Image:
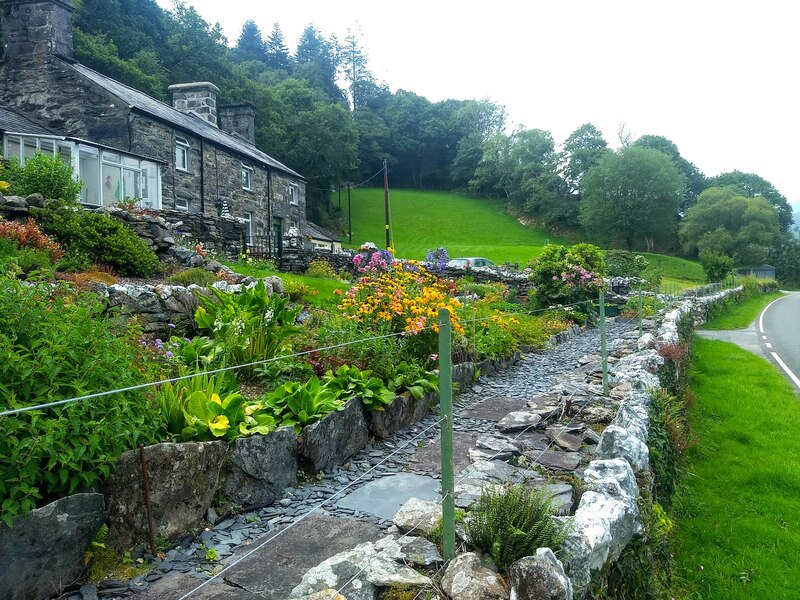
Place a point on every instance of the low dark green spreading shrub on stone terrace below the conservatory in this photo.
(103, 239)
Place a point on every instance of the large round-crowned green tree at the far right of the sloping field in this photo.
(631, 194)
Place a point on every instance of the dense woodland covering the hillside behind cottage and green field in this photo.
(322, 112)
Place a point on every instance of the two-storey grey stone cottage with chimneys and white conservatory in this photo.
(192, 156)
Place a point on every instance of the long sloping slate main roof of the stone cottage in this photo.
(189, 123)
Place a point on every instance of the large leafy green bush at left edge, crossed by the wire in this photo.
(57, 344)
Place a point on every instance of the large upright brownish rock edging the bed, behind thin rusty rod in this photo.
(183, 479)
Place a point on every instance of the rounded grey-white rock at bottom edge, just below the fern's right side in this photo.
(539, 577)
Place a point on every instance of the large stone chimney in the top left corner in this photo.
(36, 30)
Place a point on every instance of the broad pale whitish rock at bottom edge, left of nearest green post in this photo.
(358, 573)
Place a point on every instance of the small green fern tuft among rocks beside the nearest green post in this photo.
(510, 522)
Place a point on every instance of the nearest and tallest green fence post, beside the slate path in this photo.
(446, 411)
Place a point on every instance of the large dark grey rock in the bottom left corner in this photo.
(43, 550)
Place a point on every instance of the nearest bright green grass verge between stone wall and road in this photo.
(737, 513)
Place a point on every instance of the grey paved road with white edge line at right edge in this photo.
(779, 332)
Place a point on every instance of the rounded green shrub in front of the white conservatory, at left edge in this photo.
(47, 175)
